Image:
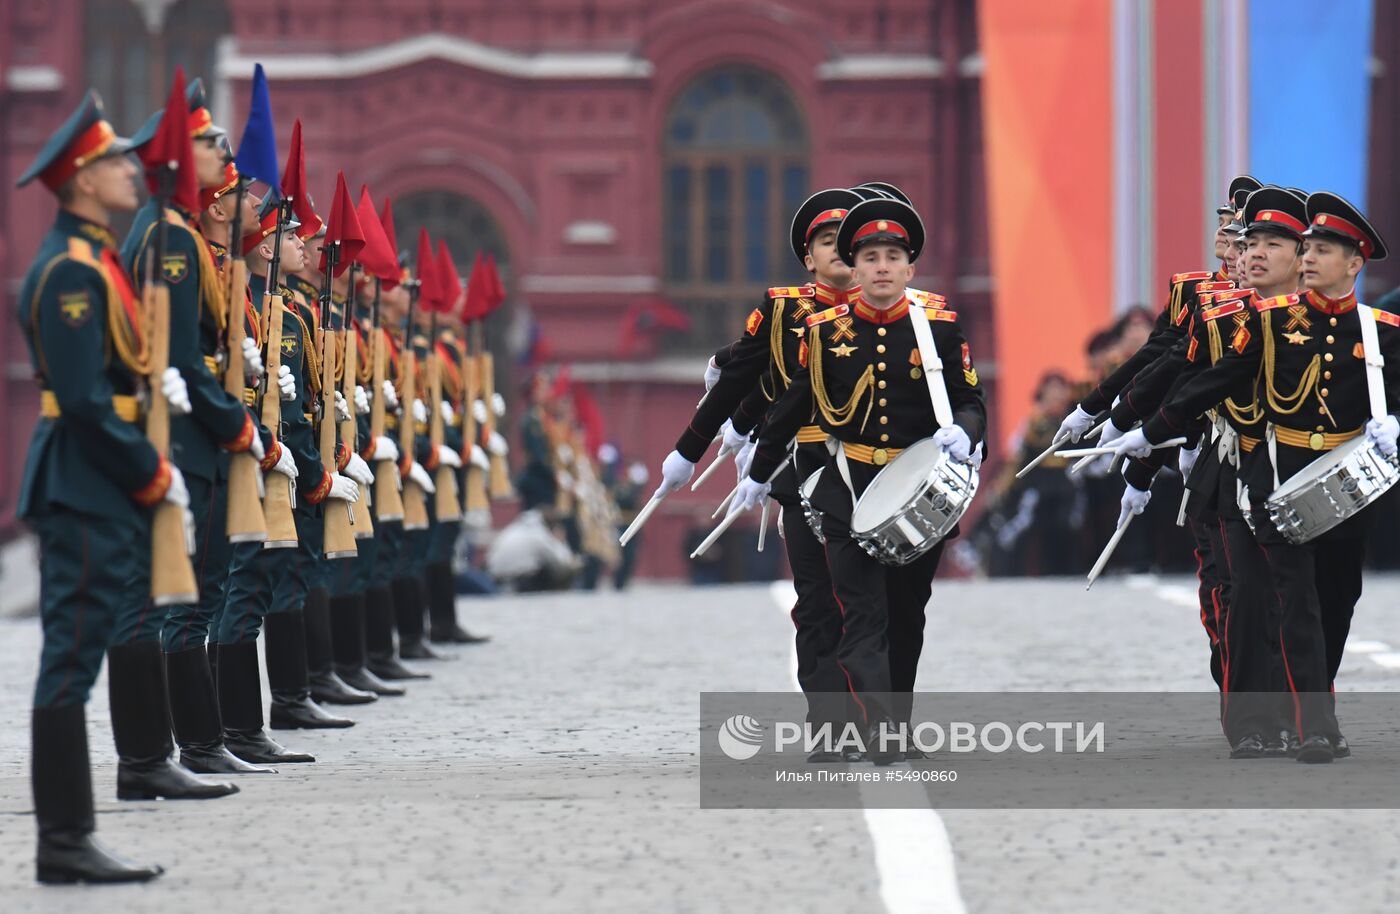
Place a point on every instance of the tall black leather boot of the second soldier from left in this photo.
(142, 730)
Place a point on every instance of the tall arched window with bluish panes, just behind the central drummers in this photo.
(736, 153)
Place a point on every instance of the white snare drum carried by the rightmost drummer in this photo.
(1332, 489)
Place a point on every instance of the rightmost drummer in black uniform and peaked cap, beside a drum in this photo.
(1307, 355)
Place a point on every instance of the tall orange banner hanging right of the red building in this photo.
(1048, 120)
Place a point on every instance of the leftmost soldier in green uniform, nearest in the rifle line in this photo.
(90, 477)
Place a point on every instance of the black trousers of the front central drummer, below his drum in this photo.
(883, 617)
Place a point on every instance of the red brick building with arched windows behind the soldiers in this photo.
(611, 153)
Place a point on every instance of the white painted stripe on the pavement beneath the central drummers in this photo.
(913, 855)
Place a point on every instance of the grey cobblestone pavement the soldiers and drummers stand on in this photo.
(554, 771)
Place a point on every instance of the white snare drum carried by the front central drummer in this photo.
(912, 505)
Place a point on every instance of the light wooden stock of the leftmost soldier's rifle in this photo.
(173, 575)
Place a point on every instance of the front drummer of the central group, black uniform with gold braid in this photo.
(862, 376)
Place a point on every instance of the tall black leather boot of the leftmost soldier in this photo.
(64, 806)
